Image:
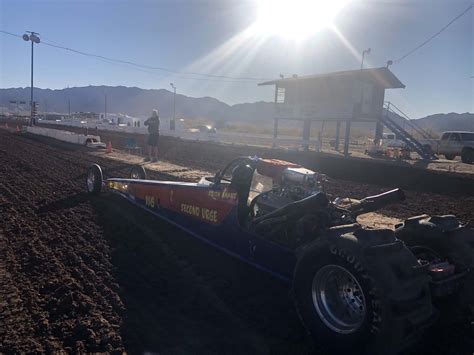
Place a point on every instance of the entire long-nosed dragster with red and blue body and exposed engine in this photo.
(353, 287)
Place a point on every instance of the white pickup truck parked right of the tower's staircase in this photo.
(453, 144)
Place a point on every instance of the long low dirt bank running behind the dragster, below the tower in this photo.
(372, 171)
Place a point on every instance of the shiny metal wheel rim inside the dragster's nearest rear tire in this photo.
(338, 299)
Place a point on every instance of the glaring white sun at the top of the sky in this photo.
(295, 19)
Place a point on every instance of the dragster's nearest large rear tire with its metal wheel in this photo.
(349, 306)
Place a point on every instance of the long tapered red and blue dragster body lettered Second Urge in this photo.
(209, 212)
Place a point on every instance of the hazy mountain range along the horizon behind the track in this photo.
(139, 102)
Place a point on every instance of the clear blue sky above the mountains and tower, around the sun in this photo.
(213, 37)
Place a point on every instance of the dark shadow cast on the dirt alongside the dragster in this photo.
(183, 296)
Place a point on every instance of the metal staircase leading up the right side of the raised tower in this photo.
(391, 112)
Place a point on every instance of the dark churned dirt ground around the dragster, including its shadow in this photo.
(82, 274)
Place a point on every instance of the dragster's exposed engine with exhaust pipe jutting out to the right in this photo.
(295, 210)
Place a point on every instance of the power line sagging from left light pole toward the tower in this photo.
(143, 66)
